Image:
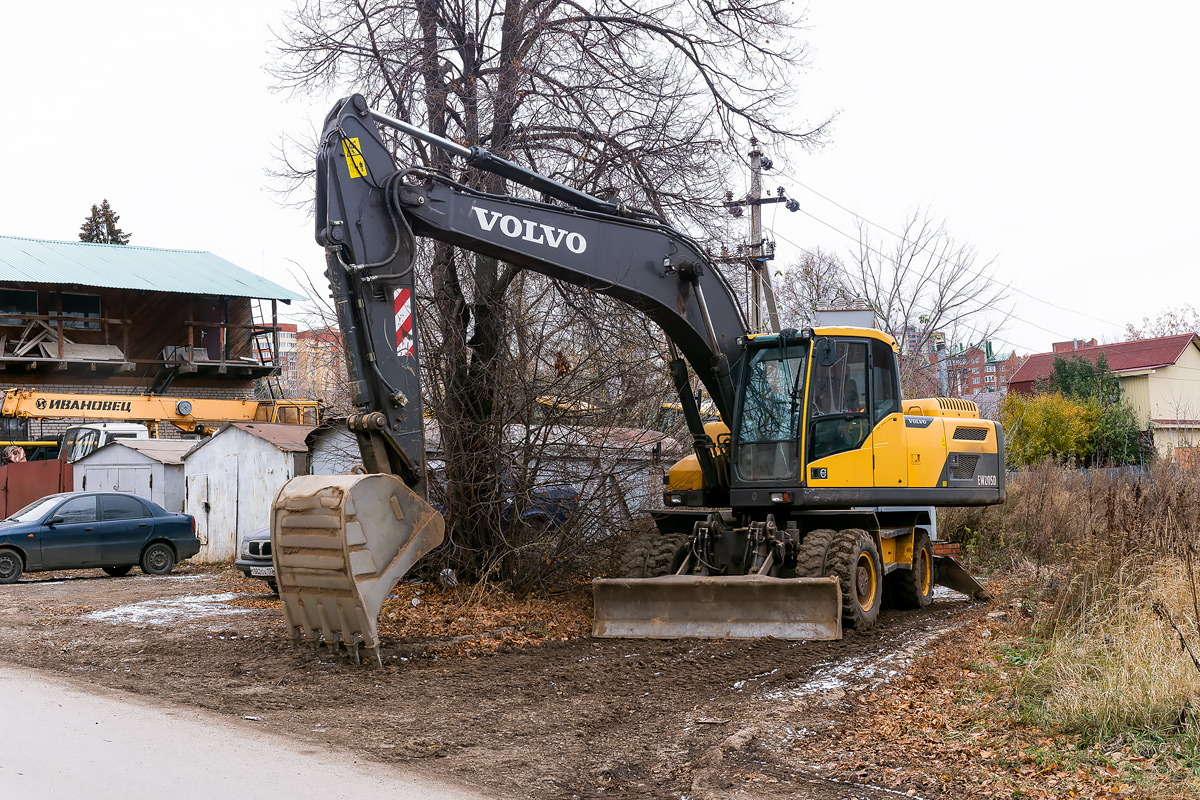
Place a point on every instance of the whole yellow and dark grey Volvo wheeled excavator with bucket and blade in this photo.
(796, 512)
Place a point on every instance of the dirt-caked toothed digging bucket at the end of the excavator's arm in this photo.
(340, 544)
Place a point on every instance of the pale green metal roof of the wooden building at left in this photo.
(124, 267)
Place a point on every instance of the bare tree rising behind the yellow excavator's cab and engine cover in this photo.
(925, 284)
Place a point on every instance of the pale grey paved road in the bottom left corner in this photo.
(65, 741)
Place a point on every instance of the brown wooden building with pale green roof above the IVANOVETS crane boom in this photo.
(83, 318)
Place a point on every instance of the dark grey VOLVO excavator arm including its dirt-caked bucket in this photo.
(341, 545)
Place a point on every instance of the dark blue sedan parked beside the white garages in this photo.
(110, 531)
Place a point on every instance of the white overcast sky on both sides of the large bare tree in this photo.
(1057, 139)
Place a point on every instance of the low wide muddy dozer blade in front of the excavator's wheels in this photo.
(741, 607)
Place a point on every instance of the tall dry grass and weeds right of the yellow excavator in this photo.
(1108, 658)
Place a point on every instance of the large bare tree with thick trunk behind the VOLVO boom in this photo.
(640, 103)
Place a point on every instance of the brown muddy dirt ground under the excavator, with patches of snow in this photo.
(572, 718)
